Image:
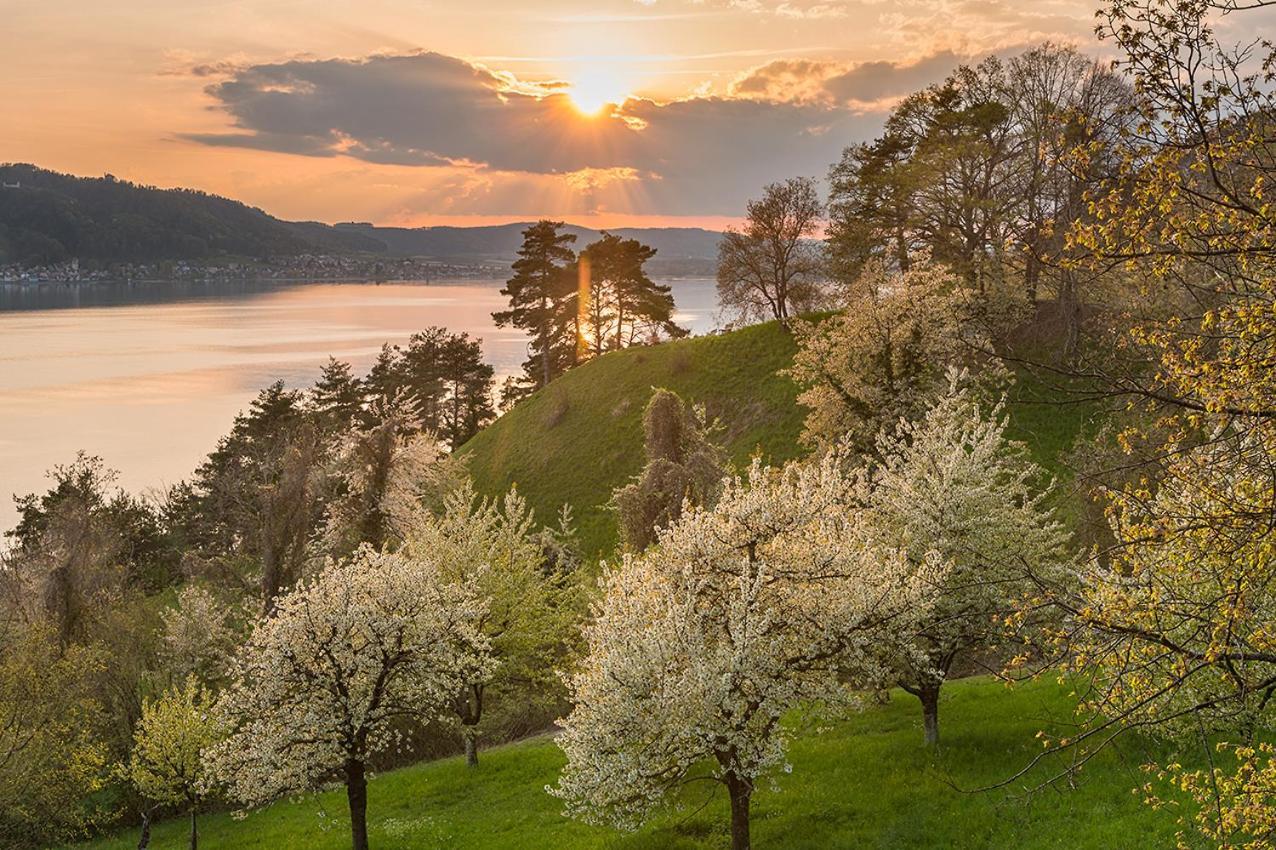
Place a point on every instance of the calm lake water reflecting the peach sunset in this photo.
(150, 376)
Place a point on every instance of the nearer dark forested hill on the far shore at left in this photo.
(49, 218)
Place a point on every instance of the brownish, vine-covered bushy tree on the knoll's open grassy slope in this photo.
(683, 466)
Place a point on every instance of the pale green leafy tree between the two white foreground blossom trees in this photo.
(494, 547)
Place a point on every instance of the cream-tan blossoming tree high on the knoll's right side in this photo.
(886, 355)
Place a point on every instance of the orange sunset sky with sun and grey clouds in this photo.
(605, 113)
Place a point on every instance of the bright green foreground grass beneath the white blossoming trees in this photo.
(866, 782)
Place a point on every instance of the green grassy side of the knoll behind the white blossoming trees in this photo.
(581, 438)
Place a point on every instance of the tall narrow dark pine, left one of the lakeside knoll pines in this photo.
(539, 301)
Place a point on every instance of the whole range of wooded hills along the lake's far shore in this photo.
(49, 218)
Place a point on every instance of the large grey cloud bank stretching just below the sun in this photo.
(426, 110)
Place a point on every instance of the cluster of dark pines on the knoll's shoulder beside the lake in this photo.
(577, 307)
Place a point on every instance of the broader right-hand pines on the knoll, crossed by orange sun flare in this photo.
(621, 301)
